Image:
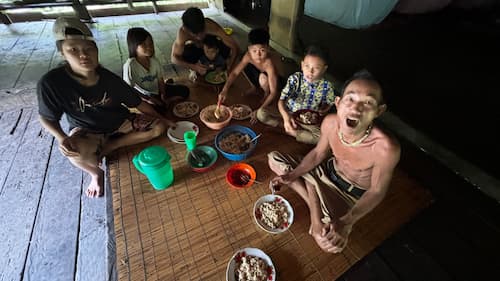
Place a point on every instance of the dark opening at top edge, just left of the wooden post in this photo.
(254, 13)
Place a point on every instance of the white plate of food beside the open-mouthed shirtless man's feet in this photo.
(273, 213)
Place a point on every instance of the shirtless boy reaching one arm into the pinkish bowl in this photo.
(261, 71)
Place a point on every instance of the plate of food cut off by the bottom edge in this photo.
(250, 264)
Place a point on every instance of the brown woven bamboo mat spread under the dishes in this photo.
(190, 230)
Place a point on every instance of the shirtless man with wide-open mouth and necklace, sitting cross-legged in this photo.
(347, 186)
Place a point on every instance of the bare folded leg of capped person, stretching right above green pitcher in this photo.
(131, 138)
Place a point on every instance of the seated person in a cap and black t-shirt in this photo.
(96, 103)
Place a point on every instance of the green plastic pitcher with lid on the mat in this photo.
(154, 163)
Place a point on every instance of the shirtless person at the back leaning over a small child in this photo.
(188, 46)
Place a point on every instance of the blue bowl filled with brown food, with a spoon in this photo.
(234, 142)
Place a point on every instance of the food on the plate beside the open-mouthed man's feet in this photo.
(273, 214)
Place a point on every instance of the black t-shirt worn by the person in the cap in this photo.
(99, 108)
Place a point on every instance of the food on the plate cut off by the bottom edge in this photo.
(251, 268)
